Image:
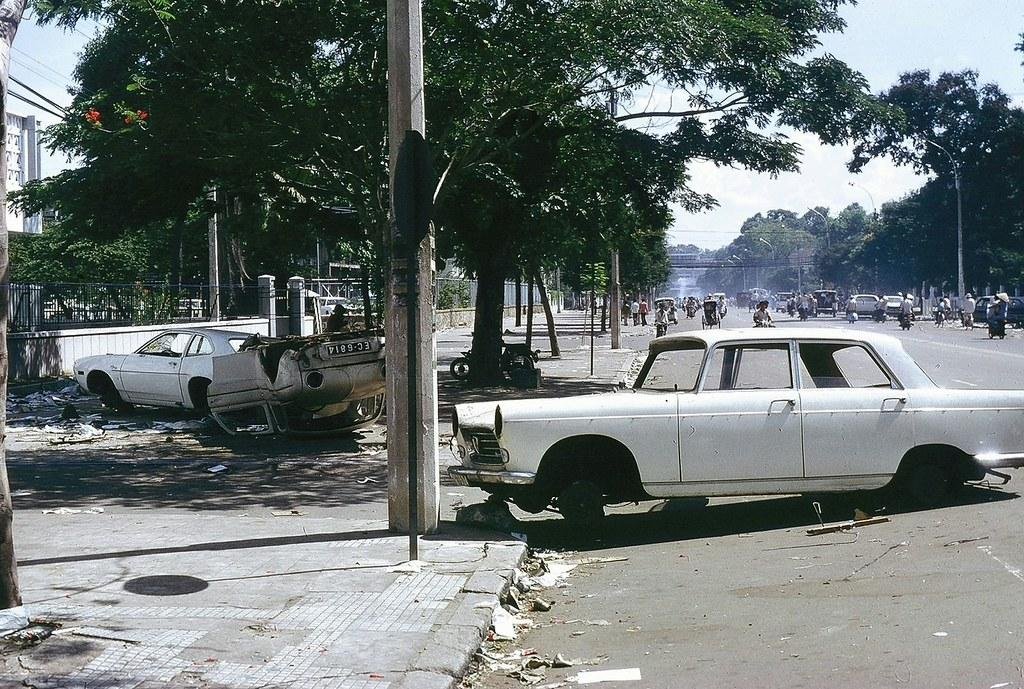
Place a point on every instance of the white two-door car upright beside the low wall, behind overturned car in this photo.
(174, 369)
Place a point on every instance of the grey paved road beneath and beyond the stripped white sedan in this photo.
(737, 595)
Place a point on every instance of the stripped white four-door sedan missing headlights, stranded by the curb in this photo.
(729, 413)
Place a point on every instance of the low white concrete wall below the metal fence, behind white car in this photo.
(53, 354)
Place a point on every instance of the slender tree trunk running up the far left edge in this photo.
(11, 595)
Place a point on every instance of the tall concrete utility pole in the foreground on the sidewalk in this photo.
(412, 380)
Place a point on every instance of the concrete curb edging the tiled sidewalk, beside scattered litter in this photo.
(444, 661)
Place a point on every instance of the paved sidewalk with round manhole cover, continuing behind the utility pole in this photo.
(277, 573)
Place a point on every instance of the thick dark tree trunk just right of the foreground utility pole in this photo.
(486, 369)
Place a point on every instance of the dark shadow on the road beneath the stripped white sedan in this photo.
(690, 520)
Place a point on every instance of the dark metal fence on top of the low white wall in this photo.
(64, 306)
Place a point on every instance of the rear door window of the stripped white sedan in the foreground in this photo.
(838, 365)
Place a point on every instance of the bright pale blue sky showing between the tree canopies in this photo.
(883, 39)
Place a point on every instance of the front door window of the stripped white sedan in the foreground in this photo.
(750, 367)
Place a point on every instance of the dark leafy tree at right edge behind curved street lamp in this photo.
(985, 135)
